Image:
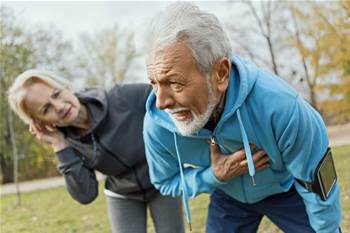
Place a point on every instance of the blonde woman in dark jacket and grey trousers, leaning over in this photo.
(97, 130)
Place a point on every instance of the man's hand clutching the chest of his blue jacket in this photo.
(226, 167)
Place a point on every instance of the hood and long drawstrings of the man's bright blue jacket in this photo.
(243, 75)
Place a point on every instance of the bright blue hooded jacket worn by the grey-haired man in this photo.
(261, 109)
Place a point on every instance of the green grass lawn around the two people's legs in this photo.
(53, 210)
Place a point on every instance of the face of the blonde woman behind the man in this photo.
(51, 106)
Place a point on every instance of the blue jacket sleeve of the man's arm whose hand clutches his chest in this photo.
(164, 167)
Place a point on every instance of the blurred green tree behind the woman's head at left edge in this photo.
(21, 49)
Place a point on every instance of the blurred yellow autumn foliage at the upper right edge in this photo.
(324, 46)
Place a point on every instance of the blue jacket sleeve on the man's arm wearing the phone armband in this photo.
(302, 140)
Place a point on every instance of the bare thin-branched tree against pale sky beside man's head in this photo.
(259, 35)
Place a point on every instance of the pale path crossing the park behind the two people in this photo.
(339, 136)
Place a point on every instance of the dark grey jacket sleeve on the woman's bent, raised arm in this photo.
(81, 181)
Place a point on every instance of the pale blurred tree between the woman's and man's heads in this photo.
(106, 56)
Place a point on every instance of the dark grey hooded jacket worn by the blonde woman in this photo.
(113, 145)
